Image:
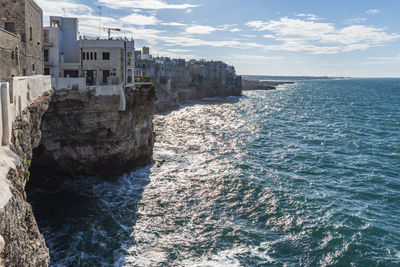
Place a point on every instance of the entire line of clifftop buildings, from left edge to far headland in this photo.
(105, 66)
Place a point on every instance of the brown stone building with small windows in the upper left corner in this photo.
(21, 39)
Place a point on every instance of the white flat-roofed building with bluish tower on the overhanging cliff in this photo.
(100, 61)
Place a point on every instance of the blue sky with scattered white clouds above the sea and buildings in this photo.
(357, 38)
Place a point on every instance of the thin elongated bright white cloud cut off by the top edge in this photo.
(144, 4)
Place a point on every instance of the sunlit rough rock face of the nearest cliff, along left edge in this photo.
(21, 243)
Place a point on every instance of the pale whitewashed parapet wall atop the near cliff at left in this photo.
(17, 94)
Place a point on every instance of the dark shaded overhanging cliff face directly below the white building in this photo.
(86, 135)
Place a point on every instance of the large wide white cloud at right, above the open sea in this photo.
(321, 38)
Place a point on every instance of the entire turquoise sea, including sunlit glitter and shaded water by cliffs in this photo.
(305, 175)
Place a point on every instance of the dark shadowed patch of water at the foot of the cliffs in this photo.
(87, 221)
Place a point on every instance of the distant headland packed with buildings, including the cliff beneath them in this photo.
(178, 80)
